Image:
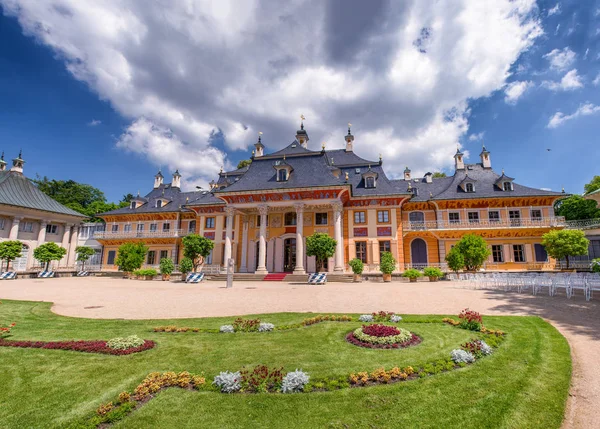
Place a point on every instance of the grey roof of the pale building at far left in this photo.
(17, 190)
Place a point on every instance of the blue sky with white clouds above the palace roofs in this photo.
(107, 94)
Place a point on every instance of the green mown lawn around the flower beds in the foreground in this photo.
(524, 384)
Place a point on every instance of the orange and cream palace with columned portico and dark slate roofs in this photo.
(260, 215)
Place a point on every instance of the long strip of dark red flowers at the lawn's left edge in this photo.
(77, 346)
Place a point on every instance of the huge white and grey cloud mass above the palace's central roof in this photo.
(199, 79)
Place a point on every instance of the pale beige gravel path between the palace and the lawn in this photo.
(577, 320)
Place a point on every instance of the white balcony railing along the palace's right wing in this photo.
(485, 224)
